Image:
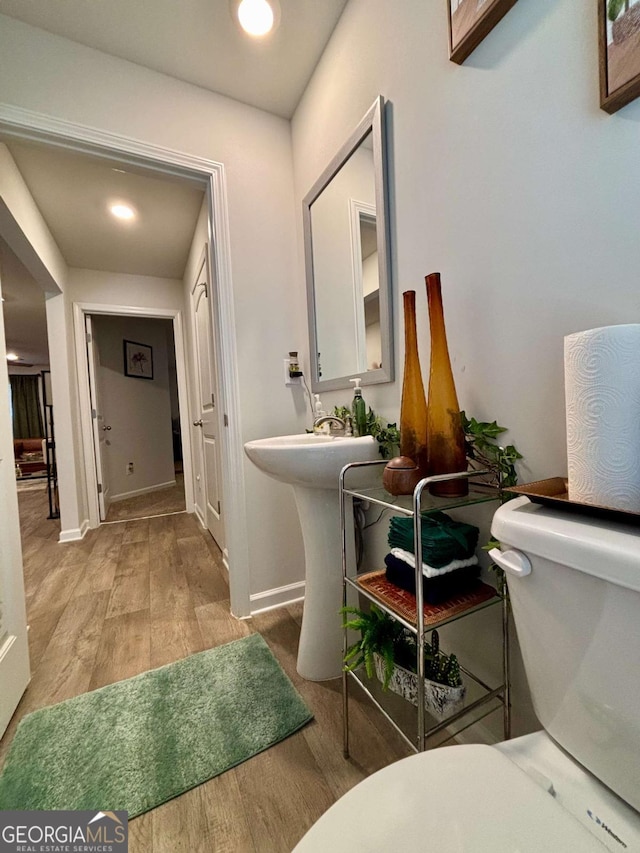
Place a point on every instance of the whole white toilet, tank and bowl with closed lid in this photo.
(574, 583)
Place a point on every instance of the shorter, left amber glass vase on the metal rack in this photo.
(413, 409)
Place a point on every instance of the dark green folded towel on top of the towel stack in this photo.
(443, 539)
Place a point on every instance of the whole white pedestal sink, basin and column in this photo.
(312, 464)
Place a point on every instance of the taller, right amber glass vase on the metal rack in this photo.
(445, 436)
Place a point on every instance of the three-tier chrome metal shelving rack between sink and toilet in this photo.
(486, 699)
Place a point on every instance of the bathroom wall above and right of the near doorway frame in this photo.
(51, 75)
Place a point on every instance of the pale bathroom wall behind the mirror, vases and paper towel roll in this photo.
(507, 178)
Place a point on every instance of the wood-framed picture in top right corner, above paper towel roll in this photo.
(619, 24)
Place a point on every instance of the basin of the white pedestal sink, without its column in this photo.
(314, 461)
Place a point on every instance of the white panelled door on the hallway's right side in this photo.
(205, 421)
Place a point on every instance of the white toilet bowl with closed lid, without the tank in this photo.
(522, 796)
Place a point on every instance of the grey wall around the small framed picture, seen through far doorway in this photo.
(137, 410)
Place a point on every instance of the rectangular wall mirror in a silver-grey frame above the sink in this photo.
(347, 262)
